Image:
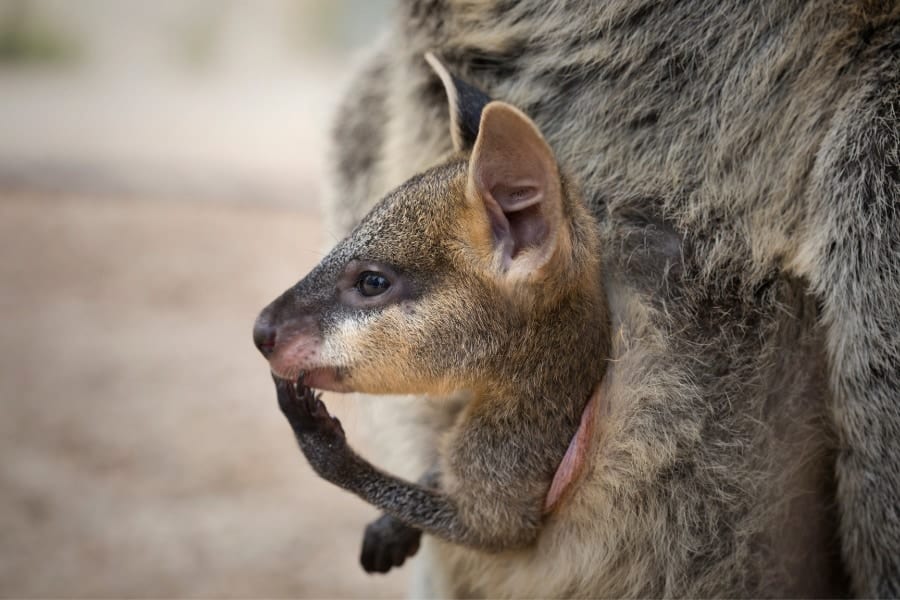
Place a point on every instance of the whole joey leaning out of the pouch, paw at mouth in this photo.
(480, 275)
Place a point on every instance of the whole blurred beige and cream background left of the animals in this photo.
(161, 166)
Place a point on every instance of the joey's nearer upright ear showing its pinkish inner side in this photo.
(514, 179)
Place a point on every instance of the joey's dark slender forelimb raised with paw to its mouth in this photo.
(322, 441)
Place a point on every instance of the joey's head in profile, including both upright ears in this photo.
(451, 276)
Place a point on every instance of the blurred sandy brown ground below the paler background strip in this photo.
(143, 453)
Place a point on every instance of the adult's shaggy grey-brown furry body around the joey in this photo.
(752, 397)
